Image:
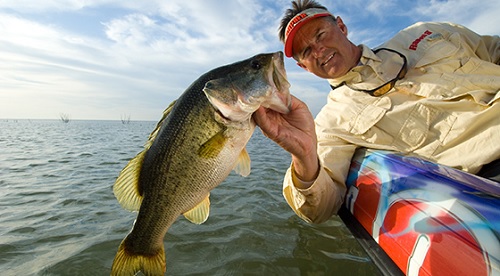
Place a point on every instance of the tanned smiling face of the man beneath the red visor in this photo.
(322, 48)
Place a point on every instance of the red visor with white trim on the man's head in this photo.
(296, 22)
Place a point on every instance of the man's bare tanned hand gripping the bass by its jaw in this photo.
(295, 133)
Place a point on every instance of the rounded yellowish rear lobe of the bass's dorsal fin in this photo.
(126, 187)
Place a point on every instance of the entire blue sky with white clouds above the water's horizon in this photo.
(110, 59)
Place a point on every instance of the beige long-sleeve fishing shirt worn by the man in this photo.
(446, 109)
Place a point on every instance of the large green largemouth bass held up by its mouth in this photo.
(200, 139)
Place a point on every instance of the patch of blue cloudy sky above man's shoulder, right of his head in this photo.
(377, 21)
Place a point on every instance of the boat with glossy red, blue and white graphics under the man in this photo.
(415, 217)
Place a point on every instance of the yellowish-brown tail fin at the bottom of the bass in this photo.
(128, 263)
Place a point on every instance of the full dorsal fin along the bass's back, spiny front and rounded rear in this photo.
(126, 188)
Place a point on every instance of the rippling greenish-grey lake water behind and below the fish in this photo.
(58, 214)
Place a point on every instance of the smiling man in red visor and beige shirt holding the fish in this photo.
(432, 91)
